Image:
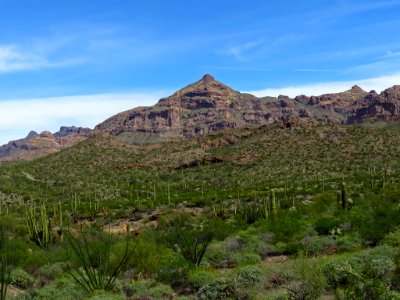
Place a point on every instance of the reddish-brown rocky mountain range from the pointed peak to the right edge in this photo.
(208, 105)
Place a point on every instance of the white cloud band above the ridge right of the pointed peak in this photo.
(377, 83)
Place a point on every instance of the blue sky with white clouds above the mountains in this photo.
(69, 62)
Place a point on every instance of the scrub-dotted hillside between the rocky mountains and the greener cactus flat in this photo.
(219, 162)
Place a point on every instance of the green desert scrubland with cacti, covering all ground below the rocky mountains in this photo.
(307, 212)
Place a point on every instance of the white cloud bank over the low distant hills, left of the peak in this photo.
(18, 117)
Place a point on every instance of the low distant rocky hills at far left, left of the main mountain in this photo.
(35, 145)
